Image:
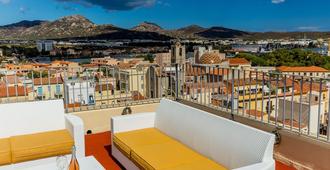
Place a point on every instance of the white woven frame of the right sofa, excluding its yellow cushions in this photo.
(231, 144)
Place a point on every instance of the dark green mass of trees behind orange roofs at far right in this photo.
(284, 57)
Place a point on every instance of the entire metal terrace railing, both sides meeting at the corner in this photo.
(297, 103)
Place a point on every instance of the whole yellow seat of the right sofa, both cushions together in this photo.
(151, 149)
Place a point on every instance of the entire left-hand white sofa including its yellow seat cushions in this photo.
(31, 135)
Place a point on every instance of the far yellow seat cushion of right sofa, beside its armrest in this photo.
(125, 141)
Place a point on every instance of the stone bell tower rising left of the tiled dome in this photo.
(178, 53)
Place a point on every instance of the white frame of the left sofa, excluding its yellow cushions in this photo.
(35, 117)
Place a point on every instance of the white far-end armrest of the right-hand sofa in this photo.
(132, 122)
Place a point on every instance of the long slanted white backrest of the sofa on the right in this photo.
(229, 143)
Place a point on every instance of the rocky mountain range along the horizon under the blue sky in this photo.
(79, 27)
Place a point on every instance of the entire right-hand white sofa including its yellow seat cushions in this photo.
(177, 136)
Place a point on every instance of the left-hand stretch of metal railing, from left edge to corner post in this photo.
(89, 88)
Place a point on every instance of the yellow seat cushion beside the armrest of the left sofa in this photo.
(40, 145)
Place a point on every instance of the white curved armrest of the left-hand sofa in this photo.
(75, 126)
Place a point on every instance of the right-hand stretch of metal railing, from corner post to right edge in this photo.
(294, 102)
